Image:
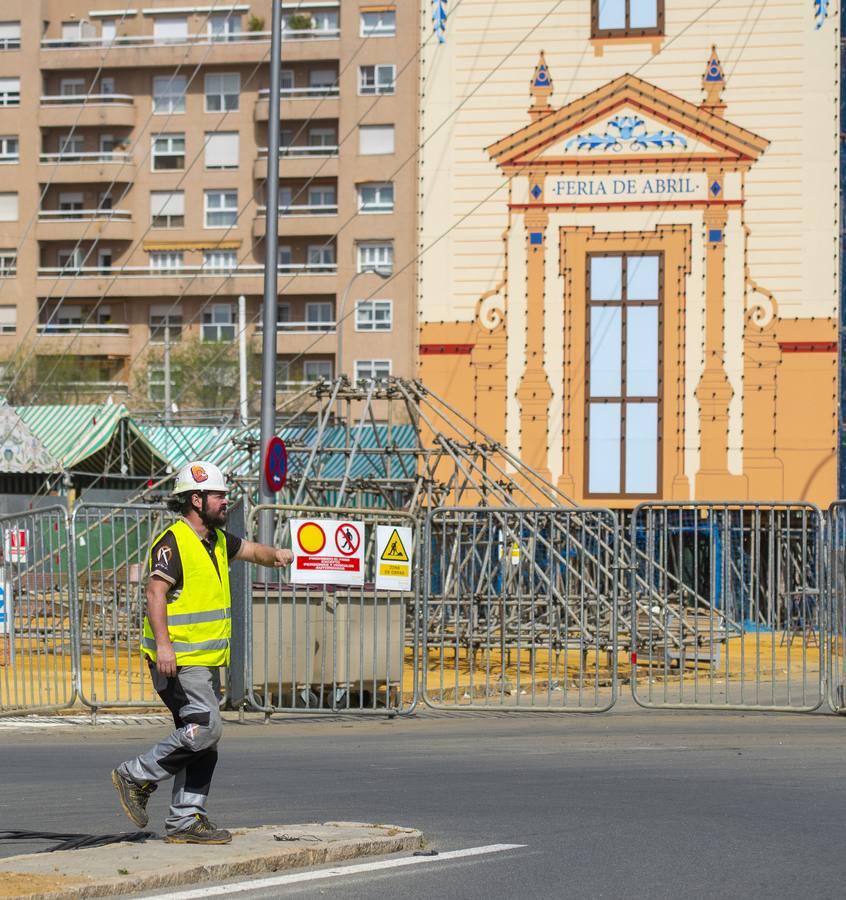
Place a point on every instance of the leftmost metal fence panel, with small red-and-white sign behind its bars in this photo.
(36, 628)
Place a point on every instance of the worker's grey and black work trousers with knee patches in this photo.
(189, 753)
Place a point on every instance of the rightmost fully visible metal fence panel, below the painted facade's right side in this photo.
(727, 606)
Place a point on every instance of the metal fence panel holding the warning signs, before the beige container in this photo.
(326, 648)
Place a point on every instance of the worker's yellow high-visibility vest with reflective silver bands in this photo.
(198, 620)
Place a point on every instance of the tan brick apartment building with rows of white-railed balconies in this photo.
(133, 158)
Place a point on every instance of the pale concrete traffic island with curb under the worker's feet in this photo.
(132, 868)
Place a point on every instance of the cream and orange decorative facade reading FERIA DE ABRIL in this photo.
(639, 290)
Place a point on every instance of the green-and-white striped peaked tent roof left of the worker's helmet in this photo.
(100, 439)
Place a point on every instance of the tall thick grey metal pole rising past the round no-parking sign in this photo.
(271, 247)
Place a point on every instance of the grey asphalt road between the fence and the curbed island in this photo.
(650, 804)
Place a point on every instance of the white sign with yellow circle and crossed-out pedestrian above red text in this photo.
(327, 551)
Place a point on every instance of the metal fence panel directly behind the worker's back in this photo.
(112, 546)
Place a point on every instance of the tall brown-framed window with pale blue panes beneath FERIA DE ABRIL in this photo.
(624, 374)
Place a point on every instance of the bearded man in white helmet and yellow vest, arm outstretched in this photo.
(186, 641)
